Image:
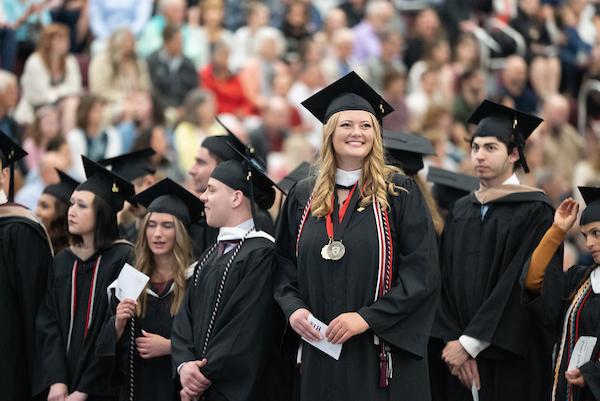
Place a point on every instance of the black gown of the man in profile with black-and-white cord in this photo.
(243, 360)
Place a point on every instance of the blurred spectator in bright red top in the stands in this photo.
(225, 85)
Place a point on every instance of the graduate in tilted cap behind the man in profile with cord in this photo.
(212, 151)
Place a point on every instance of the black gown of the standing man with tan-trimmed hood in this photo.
(481, 263)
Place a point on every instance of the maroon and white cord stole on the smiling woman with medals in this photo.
(384, 275)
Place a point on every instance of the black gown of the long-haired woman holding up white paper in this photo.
(153, 379)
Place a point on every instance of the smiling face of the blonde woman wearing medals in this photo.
(353, 138)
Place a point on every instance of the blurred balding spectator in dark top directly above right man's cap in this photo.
(513, 84)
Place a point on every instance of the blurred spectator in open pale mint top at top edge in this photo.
(172, 12)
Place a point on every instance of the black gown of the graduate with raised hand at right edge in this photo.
(551, 306)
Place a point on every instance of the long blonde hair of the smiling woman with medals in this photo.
(375, 179)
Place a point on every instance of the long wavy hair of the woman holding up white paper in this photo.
(144, 262)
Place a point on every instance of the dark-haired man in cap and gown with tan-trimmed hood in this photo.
(492, 346)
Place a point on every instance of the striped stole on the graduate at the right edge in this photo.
(570, 334)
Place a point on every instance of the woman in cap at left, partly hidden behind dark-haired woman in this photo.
(52, 209)
